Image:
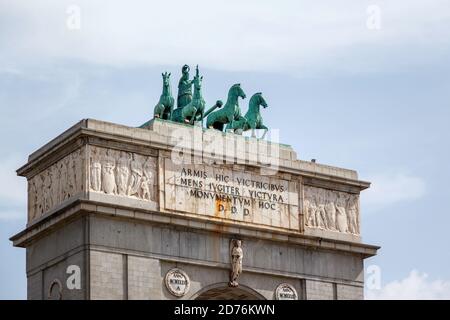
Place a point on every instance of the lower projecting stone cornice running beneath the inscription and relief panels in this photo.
(57, 217)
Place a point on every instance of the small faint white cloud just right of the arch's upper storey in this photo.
(387, 189)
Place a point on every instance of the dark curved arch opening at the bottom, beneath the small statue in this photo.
(221, 291)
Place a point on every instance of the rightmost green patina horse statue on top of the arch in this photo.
(252, 119)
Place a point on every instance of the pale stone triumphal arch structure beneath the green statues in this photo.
(127, 205)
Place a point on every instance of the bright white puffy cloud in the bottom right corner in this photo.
(416, 286)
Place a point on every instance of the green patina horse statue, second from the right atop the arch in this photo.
(230, 112)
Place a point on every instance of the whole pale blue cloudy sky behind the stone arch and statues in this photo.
(353, 83)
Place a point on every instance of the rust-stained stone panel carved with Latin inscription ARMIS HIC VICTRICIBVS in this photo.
(230, 194)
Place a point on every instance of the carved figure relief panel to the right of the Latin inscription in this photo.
(331, 210)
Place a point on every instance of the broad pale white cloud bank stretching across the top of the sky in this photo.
(291, 36)
